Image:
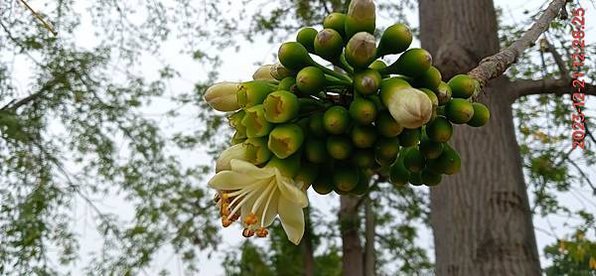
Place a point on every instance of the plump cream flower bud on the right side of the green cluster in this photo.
(410, 107)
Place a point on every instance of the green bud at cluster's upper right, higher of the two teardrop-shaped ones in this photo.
(396, 39)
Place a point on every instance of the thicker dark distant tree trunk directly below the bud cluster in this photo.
(352, 258)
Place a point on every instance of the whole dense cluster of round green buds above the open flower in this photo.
(361, 118)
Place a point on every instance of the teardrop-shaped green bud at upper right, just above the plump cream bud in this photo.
(412, 63)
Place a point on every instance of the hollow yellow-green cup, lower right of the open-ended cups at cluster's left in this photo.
(285, 140)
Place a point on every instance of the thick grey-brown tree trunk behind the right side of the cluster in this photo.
(480, 216)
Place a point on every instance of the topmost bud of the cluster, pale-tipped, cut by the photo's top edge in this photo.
(361, 17)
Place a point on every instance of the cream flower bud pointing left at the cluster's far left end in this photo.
(222, 96)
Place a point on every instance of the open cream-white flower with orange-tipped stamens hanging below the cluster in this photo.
(257, 196)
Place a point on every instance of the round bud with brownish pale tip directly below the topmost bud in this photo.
(360, 50)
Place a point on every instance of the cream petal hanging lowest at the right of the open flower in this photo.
(292, 220)
